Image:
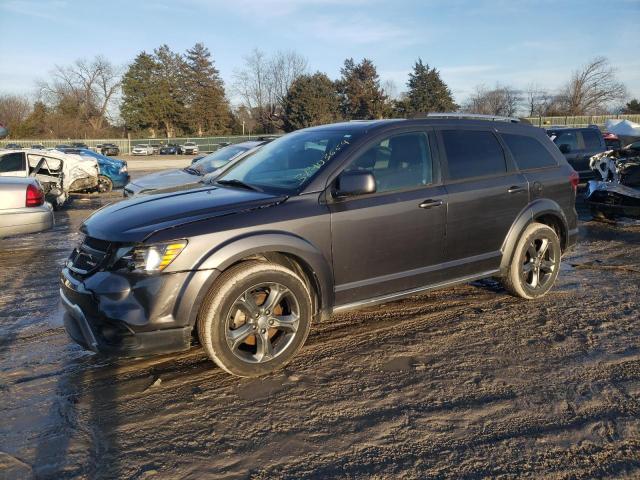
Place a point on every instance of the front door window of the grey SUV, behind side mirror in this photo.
(397, 162)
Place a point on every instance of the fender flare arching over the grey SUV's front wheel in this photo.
(235, 249)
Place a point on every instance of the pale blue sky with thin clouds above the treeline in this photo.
(475, 42)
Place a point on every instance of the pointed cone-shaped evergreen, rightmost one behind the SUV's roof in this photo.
(427, 92)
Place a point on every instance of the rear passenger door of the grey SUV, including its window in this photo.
(485, 196)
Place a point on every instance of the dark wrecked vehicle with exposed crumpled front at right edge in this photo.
(617, 193)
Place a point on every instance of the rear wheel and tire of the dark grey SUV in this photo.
(532, 260)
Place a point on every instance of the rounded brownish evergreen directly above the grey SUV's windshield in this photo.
(311, 100)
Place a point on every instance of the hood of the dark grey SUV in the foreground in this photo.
(136, 219)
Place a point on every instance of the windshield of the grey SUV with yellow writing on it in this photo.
(288, 163)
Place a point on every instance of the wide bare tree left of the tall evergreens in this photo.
(86, 88)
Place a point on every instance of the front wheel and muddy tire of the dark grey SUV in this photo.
(242, 301)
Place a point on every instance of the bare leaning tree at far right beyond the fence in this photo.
(592, 88)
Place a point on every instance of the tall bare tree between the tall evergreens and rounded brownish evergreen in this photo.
(263, 84)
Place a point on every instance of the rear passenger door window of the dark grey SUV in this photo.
(472, 153)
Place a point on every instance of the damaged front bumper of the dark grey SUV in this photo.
(117, 315)
